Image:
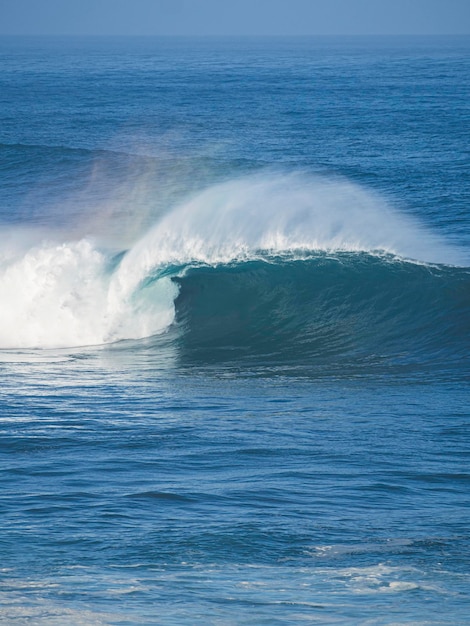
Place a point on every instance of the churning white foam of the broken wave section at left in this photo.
(58, 295)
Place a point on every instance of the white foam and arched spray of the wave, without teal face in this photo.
(63, 294)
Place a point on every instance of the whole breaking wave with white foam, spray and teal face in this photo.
(277, 264)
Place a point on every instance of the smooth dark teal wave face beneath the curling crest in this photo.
(324, 309)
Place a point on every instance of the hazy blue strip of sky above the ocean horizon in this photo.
(234, 17)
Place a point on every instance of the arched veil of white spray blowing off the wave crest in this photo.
(281, 212)
